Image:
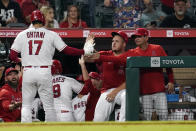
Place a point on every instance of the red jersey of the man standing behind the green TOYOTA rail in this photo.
(152, 79)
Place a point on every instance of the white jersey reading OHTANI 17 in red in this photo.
(37, 46)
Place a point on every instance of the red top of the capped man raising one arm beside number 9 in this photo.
(92, 99)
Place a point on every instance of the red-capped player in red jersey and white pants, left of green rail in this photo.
(113, 75)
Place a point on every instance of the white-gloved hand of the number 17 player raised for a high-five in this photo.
(89, 45)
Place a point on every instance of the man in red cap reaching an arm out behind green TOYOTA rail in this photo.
(152, 86)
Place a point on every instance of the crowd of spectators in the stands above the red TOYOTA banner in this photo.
(126, 13)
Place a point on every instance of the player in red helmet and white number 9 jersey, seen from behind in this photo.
(62, 89)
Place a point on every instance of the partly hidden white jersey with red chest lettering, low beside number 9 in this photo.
(79, 107)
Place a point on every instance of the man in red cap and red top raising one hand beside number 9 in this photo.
(93, 84)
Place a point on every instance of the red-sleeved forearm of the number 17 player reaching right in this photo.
(72, 51)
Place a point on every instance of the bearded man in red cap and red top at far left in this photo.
(10, 97)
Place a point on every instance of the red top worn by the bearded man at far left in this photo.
(7, 96)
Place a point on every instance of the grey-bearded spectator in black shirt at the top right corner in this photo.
(179, 19)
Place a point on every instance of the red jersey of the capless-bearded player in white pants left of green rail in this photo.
(113, 73)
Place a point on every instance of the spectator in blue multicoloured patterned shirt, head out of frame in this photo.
(127, 12)
